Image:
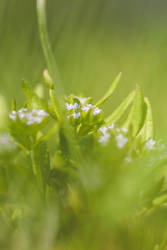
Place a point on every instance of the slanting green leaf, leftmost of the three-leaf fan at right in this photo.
(116, 115)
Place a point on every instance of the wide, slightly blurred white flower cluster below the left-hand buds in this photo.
(35, 116)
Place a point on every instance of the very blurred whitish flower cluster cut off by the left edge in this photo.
(6, 144)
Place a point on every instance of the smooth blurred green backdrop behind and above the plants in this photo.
(93, 41)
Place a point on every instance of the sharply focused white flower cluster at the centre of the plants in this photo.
(84, 107)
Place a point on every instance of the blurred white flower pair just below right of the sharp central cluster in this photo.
(121, 140)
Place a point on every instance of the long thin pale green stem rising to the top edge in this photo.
(46, 46)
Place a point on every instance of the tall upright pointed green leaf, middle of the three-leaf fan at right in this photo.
(137, 114)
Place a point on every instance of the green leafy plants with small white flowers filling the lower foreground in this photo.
(68, 172)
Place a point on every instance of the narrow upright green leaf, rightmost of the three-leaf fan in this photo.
(147, 132)
